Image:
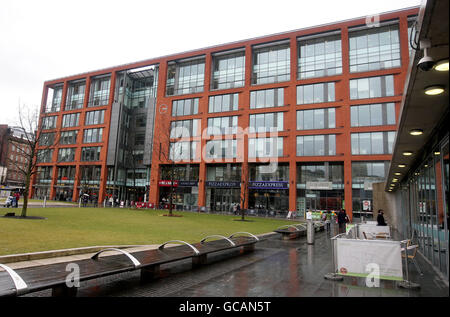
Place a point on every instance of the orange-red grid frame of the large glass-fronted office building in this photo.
(342, 104)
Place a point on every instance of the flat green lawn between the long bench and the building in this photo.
(81, 227)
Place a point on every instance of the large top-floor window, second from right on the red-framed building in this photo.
(319, 57)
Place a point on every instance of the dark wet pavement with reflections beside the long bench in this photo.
(277, 268)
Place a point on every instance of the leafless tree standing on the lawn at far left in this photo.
(35, 145)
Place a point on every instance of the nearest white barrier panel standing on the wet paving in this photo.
(358, 257)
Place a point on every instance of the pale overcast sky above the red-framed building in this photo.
(48, 39)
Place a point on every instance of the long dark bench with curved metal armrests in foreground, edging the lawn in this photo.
(54, 276)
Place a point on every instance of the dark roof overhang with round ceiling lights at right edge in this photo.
(418, 110)
